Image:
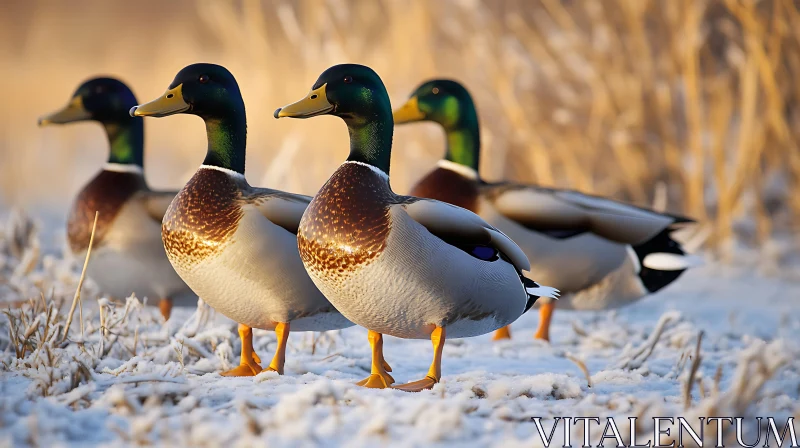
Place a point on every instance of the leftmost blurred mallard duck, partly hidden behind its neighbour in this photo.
(127, 254)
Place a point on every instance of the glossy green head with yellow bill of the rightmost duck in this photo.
(449, 104)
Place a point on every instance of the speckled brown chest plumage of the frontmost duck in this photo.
(347, 223)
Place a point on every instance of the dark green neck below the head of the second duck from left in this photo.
(227, 138)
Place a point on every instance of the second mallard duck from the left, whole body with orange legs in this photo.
(235, 245)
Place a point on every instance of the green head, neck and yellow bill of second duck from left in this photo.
(211, 92)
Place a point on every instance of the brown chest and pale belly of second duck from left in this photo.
(239, 262)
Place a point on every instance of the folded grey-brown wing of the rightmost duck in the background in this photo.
(564, 213)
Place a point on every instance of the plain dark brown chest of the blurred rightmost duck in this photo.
(448, 186)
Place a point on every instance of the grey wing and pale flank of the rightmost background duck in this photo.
(587, 261)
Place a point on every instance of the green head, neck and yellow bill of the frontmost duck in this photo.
(357, 95)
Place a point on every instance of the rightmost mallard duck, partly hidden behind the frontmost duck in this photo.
(600, 253)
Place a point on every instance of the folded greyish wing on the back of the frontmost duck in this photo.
(457, 225)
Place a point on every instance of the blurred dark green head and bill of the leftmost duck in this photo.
(107, 101)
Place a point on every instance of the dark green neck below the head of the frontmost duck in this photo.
(371, 141)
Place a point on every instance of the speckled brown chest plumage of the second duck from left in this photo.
(202, 218)
